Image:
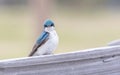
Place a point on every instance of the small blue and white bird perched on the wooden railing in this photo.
(47, 42)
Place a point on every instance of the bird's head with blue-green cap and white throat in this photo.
(49, 25)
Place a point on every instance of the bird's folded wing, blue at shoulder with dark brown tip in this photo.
(41, 40)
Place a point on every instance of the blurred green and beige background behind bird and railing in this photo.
(81, 24)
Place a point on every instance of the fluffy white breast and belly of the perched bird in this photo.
(50, 45)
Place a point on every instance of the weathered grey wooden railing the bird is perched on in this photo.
(96, 61)
